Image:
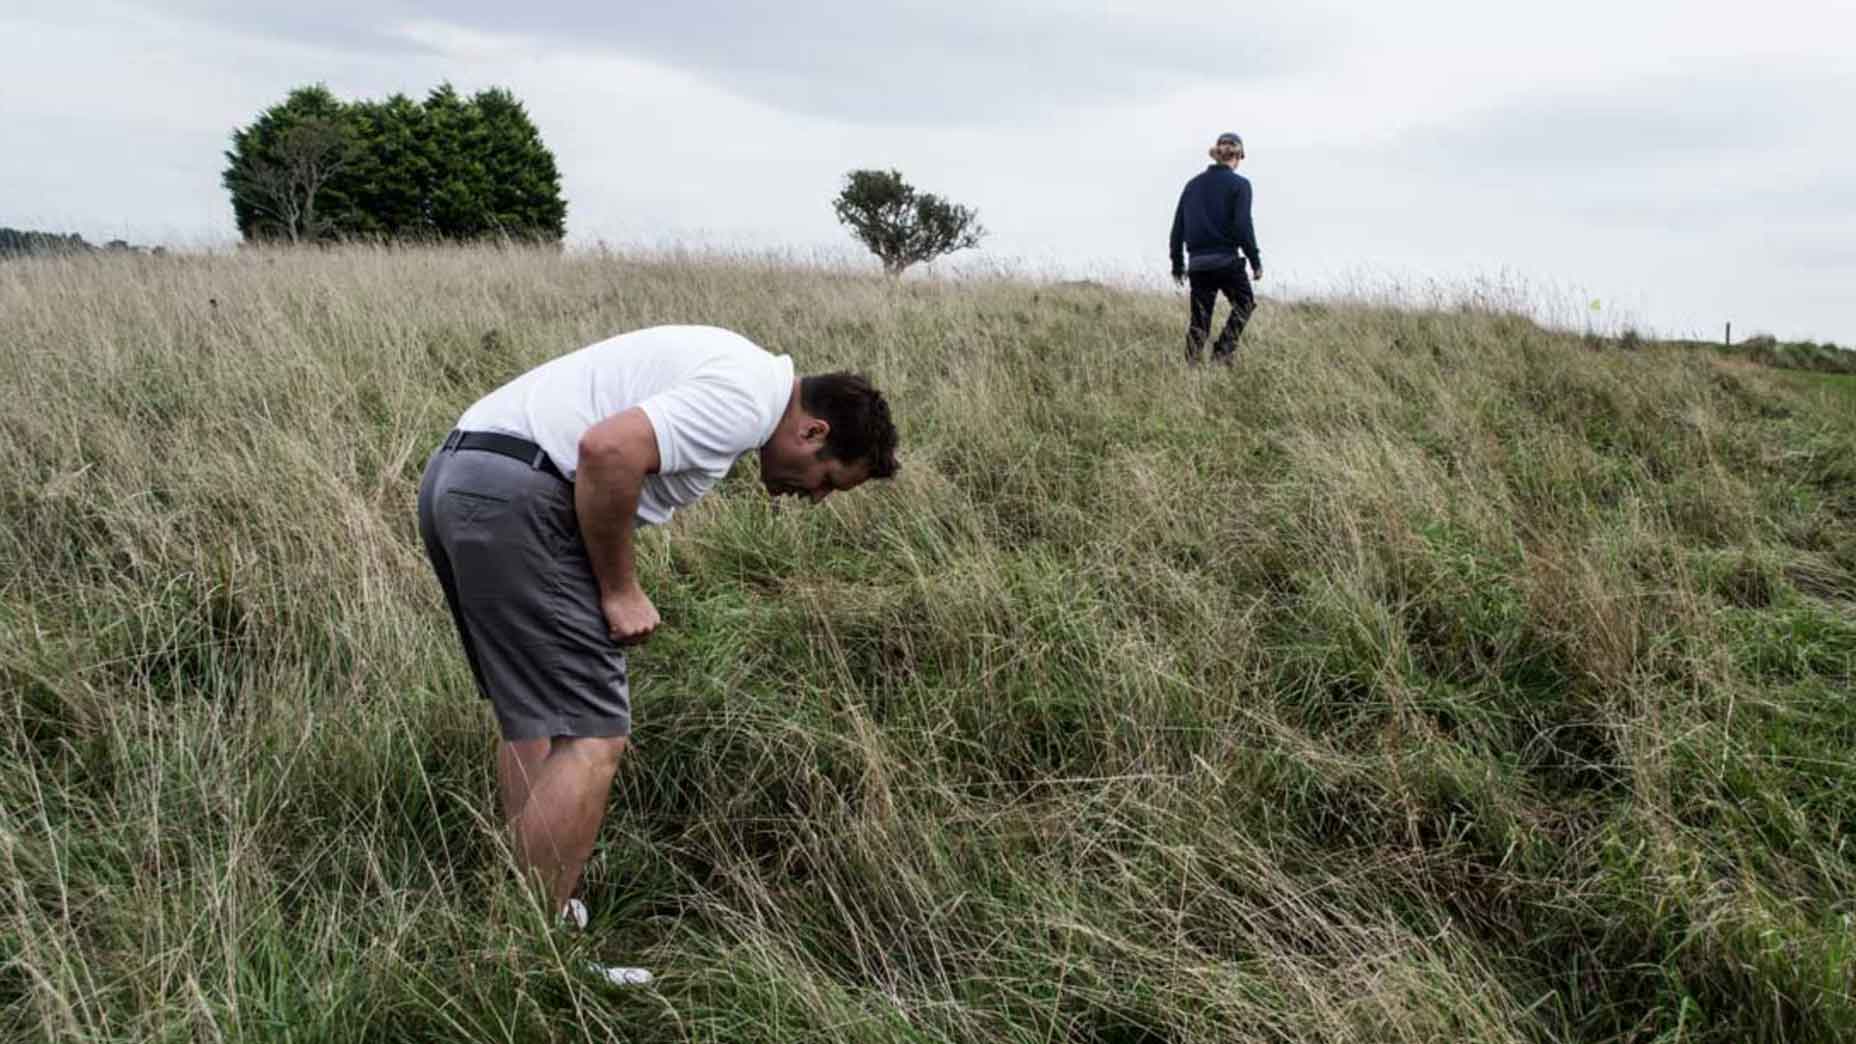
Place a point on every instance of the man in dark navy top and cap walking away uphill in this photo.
(1213, 226)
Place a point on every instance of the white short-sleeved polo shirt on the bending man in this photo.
(712, 397)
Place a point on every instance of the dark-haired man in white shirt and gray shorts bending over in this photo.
(528, 517)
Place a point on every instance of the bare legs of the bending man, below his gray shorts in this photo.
(563, 805)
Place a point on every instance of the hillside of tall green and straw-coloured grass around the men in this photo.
(1424, 677)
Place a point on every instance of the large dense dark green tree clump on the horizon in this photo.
(315, 168)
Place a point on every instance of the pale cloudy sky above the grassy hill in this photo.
(1682, 163)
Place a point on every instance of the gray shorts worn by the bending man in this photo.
(508, 551)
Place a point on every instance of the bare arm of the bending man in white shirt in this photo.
(613, 460)
